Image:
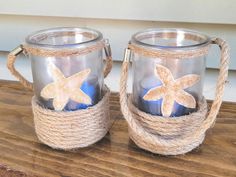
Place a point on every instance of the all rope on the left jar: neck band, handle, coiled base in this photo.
(67, 130)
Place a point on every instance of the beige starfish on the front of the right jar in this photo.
(172, 90)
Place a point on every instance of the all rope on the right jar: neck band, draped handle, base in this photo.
(169, 136)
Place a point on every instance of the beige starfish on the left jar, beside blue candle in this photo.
(63, 89)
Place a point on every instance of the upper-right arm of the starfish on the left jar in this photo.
(75, 81)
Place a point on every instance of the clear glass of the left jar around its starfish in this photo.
(67, 38)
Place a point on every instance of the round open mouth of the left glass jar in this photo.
(63, 37)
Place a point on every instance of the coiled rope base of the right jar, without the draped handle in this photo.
(170, 130)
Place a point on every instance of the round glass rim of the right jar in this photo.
(165, 33)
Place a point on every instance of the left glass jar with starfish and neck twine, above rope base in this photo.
(67, 67)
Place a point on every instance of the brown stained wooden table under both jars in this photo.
(21, 154)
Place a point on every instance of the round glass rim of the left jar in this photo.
(34, 38)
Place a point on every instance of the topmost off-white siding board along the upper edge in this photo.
(197, 11)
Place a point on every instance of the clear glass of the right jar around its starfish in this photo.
(144, 77)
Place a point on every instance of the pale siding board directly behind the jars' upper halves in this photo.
(14, 28)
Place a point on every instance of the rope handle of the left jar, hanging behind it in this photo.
(11, 58)
